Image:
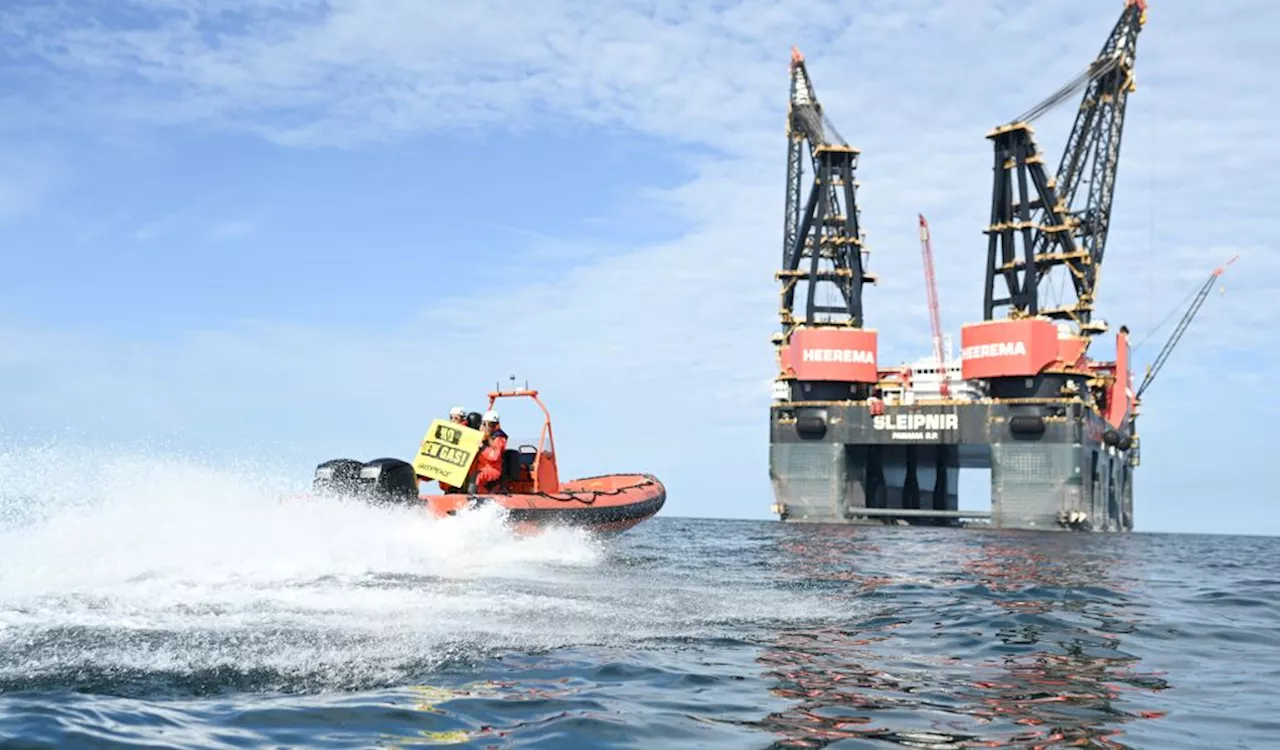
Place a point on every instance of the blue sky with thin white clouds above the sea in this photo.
(304, 230)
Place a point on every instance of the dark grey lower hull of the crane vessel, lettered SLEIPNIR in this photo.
(1054, 465)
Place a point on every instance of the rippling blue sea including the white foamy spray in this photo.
(176, 606)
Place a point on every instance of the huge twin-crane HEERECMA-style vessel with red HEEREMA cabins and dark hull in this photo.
(852, 442)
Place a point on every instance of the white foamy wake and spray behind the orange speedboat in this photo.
(135, 570)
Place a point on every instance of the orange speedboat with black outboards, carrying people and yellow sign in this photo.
(529, 488)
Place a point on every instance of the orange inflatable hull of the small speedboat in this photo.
(605, 505)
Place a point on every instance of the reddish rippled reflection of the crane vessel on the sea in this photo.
(1014, 642)
